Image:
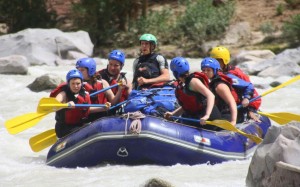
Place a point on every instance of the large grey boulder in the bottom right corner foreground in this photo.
(276, 160)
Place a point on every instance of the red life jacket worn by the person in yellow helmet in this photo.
(239, 73)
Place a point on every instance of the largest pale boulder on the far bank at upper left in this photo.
(44, 46)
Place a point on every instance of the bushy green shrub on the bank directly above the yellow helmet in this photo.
(202, 21)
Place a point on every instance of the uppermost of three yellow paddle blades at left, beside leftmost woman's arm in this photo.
(50, 104)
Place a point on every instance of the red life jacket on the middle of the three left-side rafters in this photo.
(99, 98)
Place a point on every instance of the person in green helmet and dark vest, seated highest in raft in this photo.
(150, 69)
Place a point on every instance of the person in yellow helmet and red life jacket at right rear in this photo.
(222, 55)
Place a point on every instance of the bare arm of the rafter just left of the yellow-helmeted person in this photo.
(224, 92)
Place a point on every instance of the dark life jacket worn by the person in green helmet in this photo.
(151, 69)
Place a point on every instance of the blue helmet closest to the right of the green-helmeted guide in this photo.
(179, 65)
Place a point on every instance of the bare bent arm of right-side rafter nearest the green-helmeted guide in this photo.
(197, 86)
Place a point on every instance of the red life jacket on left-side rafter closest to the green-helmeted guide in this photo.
(111, 81)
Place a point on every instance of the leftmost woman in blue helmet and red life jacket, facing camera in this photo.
(70, 119)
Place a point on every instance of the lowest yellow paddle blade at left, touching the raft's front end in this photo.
(43, 140)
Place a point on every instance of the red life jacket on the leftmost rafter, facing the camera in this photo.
(72, 116)
